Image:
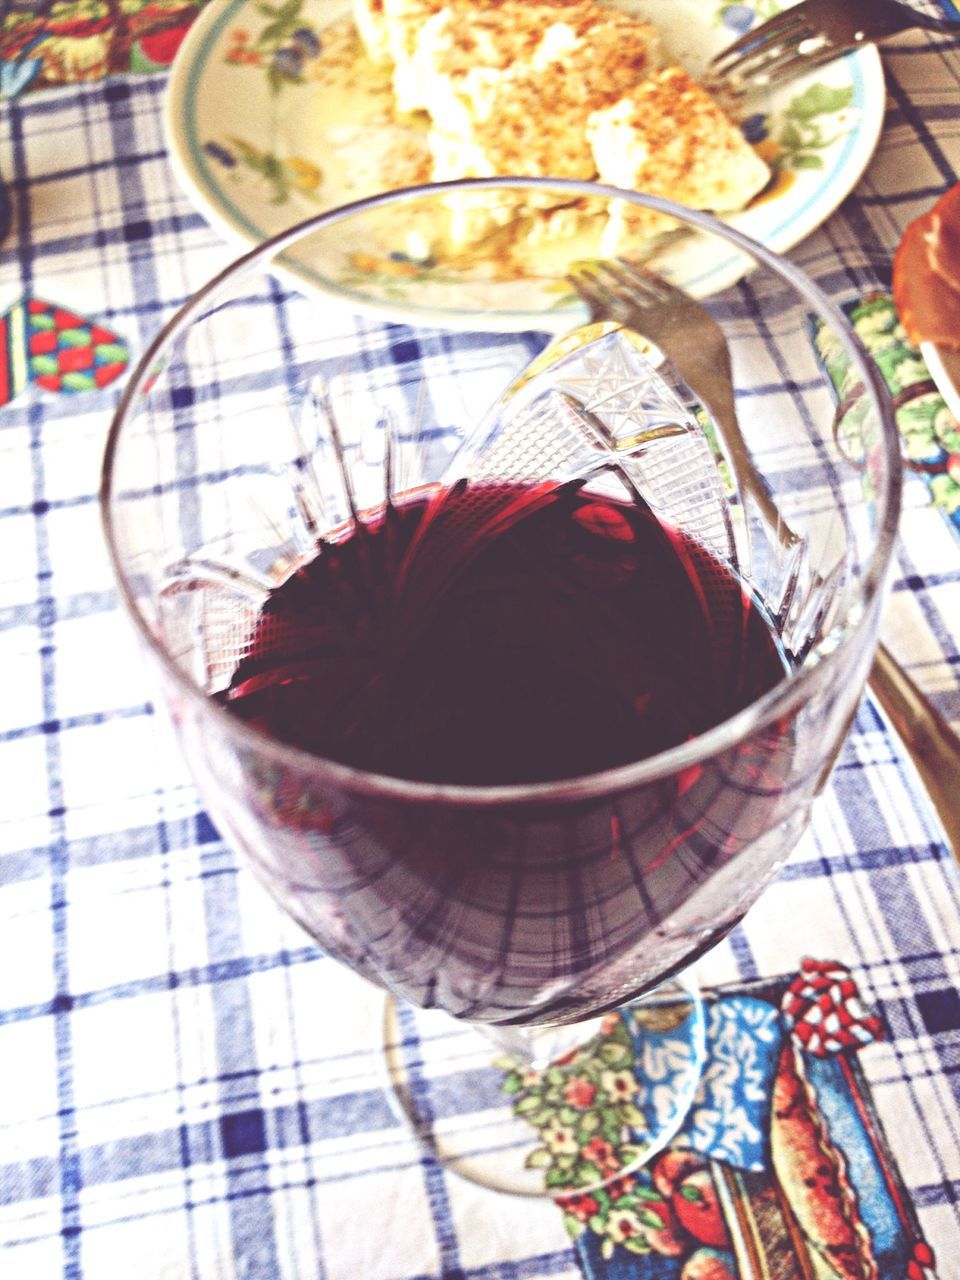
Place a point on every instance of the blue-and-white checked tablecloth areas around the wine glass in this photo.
(188, 1087)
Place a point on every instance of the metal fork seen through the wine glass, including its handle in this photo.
(696, 345)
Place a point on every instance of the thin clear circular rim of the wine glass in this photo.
(712, 742)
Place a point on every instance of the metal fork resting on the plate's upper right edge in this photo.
(813, 33)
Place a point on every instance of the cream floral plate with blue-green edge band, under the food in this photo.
(273, 116)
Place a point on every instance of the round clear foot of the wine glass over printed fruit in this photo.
(554, 1112)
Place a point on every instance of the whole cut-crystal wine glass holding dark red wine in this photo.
(477, 648)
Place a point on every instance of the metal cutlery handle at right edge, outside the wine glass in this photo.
(932, 744)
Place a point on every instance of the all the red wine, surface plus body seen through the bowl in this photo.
(500, 634)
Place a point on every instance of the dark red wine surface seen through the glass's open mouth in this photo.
(502, 634)
